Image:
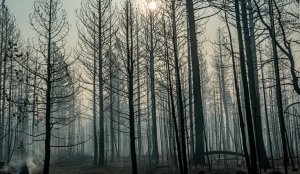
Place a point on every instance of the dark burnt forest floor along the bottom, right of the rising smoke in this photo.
(124, 167)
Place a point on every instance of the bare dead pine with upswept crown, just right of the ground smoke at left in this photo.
(49, 21)
